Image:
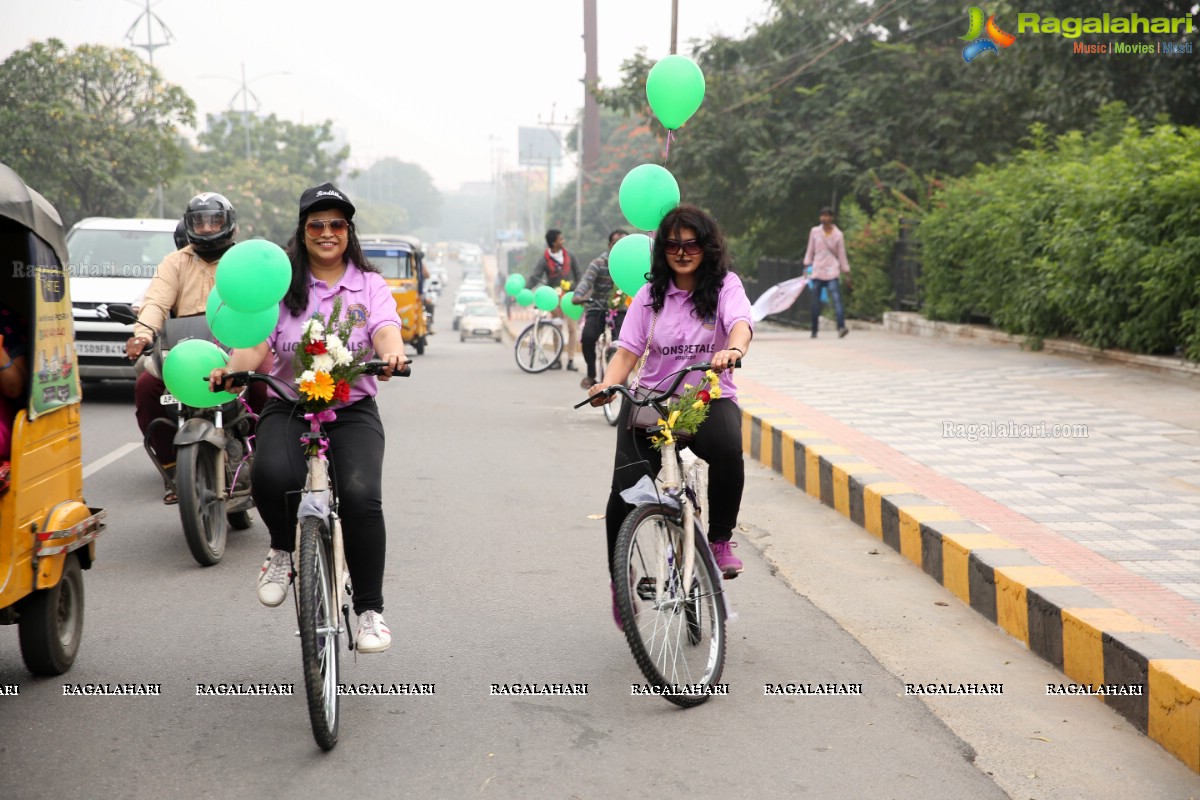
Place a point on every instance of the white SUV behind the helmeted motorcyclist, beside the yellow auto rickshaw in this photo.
(112, 262)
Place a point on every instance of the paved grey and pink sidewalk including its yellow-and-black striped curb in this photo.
(1059, 497)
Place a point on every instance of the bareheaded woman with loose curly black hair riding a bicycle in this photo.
(692, 310)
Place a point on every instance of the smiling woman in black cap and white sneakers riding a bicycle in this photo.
(327, 266)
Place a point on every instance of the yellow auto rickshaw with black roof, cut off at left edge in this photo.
(47, 532)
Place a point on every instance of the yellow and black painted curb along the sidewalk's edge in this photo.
(1065, 623)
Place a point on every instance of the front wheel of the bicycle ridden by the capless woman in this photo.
(676, 633)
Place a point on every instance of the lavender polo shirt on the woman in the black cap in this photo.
(367, 299)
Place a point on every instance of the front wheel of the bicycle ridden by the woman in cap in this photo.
(319, 630)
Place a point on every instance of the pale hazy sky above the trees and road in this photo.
(441, 83)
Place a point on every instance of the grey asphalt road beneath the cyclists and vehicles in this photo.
(495, 575)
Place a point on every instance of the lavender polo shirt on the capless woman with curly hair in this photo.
(681, 339)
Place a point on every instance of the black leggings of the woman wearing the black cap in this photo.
(356, 454)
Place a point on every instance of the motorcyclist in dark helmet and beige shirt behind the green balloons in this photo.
(181, 288)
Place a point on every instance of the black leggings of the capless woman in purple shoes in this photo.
(718, 442)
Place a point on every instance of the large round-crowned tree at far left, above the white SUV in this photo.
(93, 129)
